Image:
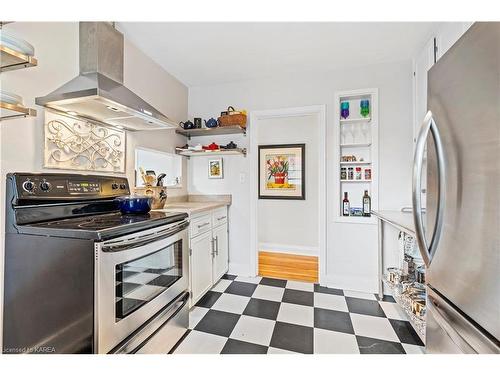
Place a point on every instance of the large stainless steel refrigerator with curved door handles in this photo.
(459, 235)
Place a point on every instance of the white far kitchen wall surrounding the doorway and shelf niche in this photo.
(394, 81)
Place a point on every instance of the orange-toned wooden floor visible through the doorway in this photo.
(288, 266)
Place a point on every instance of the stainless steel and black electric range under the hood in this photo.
(80, 277)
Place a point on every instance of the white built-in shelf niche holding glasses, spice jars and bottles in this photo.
(356, 136)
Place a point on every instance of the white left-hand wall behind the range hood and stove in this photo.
(56, 48)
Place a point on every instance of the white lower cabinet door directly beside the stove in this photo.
(201, 265)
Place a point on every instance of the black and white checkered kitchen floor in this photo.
(264, 315)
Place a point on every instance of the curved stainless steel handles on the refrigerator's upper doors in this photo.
(428, 251)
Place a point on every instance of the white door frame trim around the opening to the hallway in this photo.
(255, 117)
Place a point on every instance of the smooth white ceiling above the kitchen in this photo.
(204, 53)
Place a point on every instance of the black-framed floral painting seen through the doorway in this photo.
(282, 171)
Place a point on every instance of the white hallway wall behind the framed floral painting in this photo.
(291, 225)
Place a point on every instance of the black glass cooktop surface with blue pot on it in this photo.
(106, 225)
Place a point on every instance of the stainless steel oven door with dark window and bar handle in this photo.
(137, 276)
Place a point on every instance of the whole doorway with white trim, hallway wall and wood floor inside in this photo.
(288, 237)
